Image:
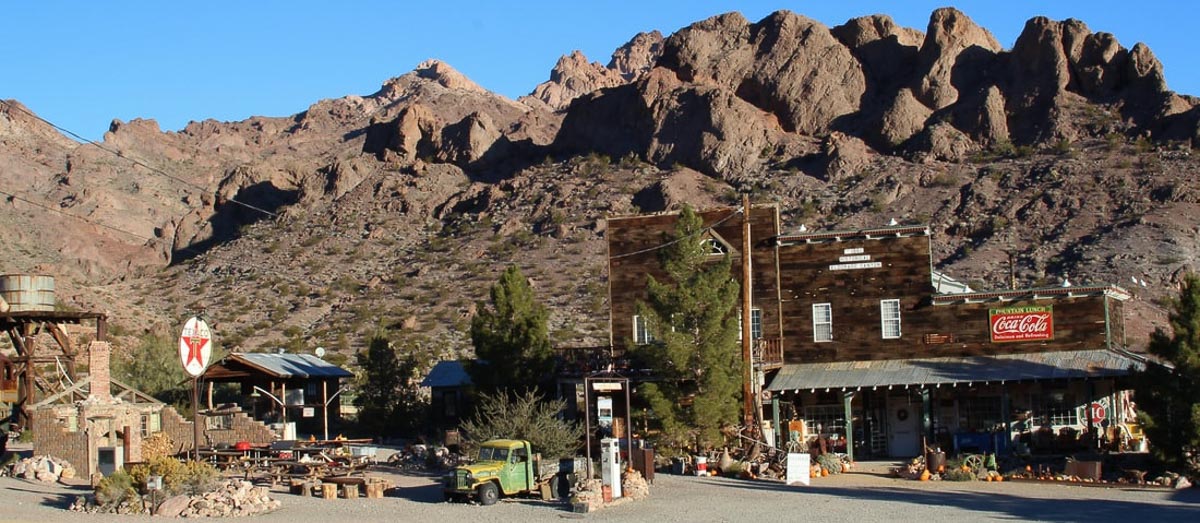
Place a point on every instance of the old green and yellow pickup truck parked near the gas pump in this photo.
(506, 467)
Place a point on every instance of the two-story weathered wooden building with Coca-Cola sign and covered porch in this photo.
(857, 338)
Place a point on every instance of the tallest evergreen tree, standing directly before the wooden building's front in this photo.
(695, 352)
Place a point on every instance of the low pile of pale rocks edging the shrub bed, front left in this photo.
(233, 498)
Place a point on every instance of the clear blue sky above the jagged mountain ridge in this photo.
(83, 64)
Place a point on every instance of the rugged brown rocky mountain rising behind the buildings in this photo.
(1066, 154)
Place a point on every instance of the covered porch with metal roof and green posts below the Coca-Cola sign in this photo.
(1042, 402)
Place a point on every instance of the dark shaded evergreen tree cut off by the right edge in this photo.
(1169, 395)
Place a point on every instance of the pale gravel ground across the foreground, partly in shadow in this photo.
(868, 496)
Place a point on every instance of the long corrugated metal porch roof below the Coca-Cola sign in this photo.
(1010, 368)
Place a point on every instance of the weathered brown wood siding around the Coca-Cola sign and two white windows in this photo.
(928, 330)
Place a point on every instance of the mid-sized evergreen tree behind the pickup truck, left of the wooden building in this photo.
(511, 338)
